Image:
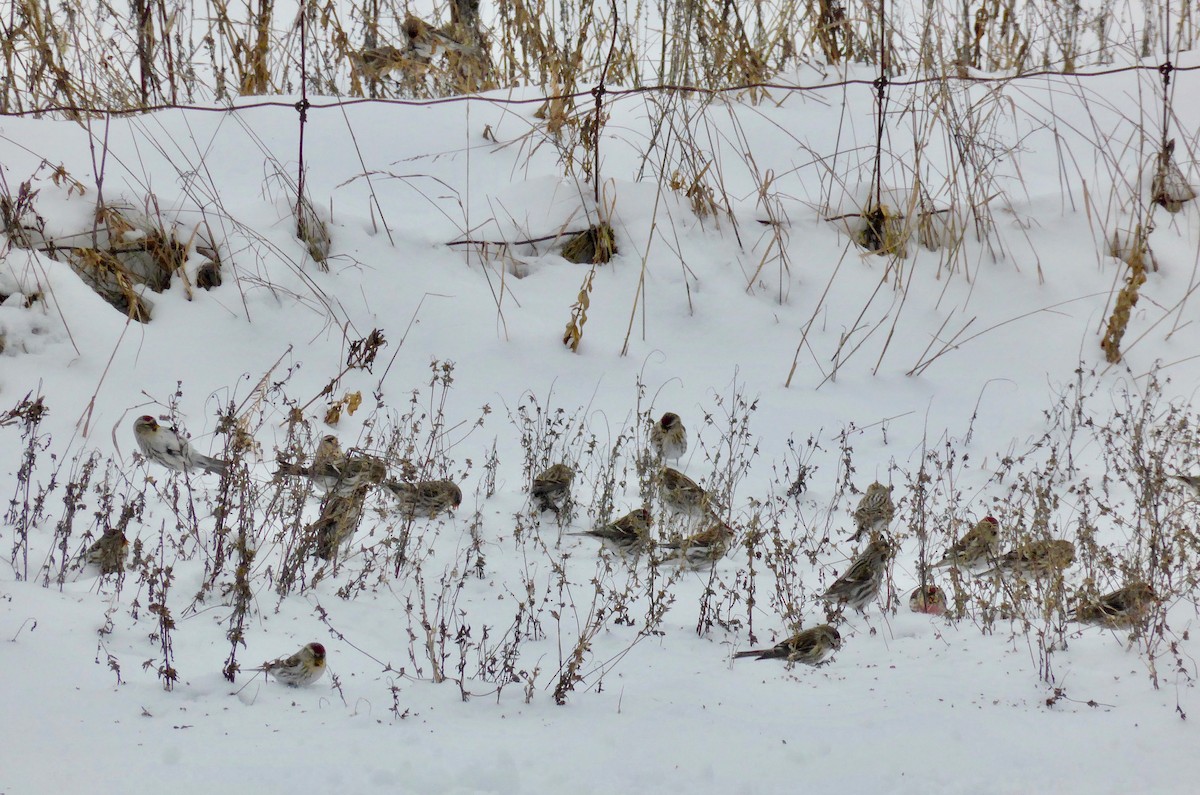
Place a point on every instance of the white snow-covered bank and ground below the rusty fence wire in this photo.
(911, 703)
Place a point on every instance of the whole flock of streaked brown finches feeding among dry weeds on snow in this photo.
(347, 479)
